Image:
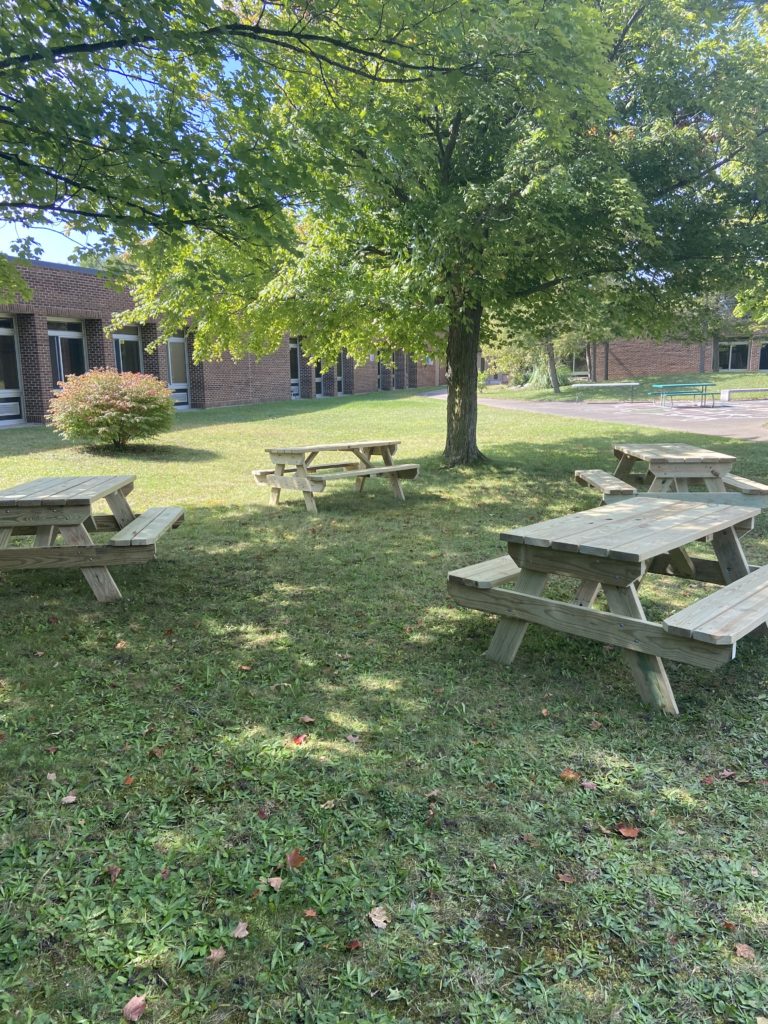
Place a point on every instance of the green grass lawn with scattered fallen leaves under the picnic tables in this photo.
(430, 782)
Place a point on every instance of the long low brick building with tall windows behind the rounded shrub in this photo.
(65, 329)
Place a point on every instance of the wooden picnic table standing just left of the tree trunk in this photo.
(295, 470)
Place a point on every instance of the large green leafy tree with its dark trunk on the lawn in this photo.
(579, 142)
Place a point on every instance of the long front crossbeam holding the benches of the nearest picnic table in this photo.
(605, 627)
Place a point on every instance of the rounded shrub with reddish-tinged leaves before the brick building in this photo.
(104, 407)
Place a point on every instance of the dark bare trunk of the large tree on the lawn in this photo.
(463, 350)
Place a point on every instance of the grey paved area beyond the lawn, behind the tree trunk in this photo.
(743, 420)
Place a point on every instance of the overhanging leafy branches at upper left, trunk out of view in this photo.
(132, 117)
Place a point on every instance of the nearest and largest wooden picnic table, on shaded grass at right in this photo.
(613, 547)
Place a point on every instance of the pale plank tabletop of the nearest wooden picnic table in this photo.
(631, 531)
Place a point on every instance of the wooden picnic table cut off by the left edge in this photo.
(50, 508)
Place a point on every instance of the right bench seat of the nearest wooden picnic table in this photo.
(729, 615)
